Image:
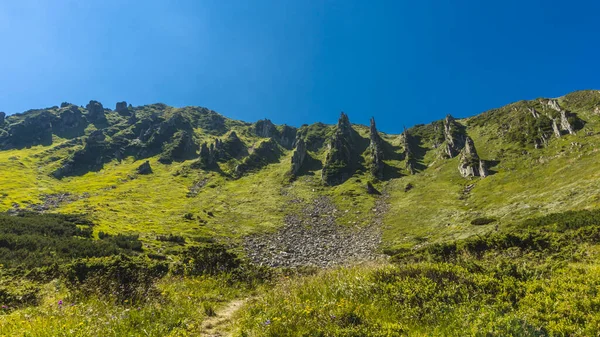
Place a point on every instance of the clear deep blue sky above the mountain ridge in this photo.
(298, 61)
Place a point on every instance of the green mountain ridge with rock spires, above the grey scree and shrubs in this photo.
(260, 165)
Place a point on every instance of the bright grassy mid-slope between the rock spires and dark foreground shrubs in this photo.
(561, 176)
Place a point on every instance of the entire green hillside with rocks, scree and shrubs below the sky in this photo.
(221, 192)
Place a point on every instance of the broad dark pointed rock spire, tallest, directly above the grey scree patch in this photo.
(340, 162)
